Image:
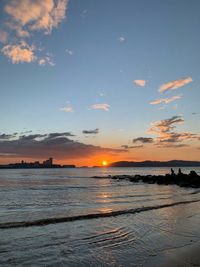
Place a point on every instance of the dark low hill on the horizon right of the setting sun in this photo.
(148, 163)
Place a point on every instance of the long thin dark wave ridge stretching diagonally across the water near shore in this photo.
(48, 221)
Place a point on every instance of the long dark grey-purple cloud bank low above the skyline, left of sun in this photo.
(57, 145)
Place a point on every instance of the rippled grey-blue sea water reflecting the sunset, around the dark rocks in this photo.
(63, 217)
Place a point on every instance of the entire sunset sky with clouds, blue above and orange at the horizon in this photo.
(87, 81)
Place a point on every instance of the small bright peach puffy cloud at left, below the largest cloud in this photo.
(21, 52)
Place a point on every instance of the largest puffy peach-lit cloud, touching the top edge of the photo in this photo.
(37, 14)
